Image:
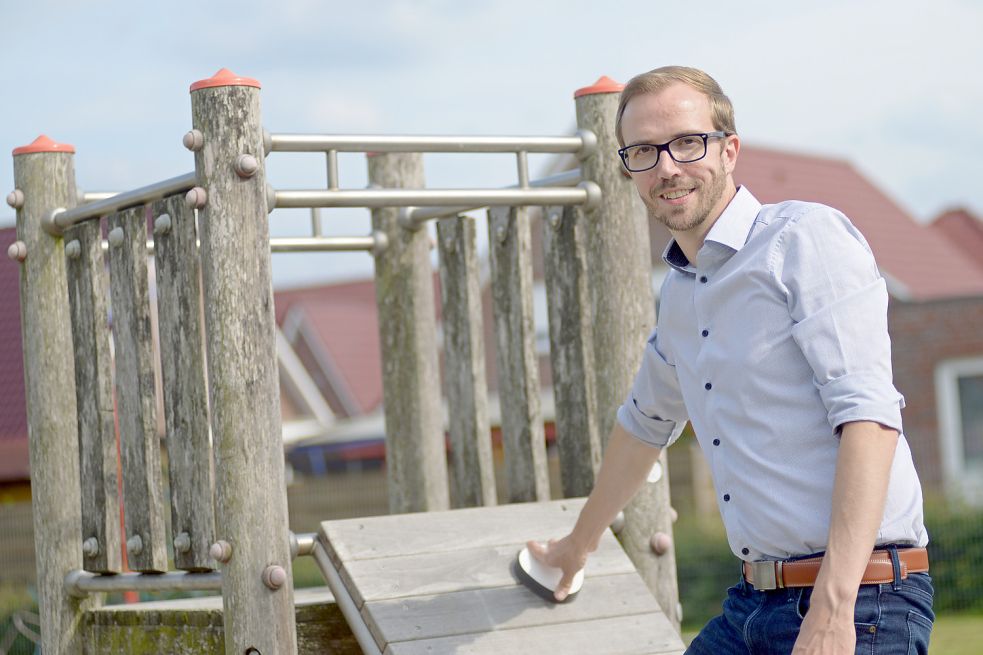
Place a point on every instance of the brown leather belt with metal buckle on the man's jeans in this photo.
(767, 575)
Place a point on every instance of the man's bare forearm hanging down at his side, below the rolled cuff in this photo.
(863, 469)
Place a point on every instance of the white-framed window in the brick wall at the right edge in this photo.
(959, 390)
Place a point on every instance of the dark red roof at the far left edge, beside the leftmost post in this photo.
(13, 408)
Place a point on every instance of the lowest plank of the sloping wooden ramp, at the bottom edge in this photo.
(623, 635)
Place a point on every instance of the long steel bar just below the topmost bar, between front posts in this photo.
(374, 198)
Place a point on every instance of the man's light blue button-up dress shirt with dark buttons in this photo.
(769, 342)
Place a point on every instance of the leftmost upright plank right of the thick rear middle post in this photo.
(472, 467)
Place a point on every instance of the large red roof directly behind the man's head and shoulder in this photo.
(923, 263)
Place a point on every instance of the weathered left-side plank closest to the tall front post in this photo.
(185, 393)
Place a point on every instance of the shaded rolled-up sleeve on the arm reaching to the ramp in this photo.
(654, 411)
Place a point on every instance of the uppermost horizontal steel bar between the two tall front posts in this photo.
(373, 143)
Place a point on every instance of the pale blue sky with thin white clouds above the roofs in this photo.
(891, 86)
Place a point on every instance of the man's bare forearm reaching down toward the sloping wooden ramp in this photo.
(626, 464)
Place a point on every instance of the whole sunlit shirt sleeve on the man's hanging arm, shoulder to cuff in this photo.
(838, 303)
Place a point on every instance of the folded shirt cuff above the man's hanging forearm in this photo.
(862, 397)
